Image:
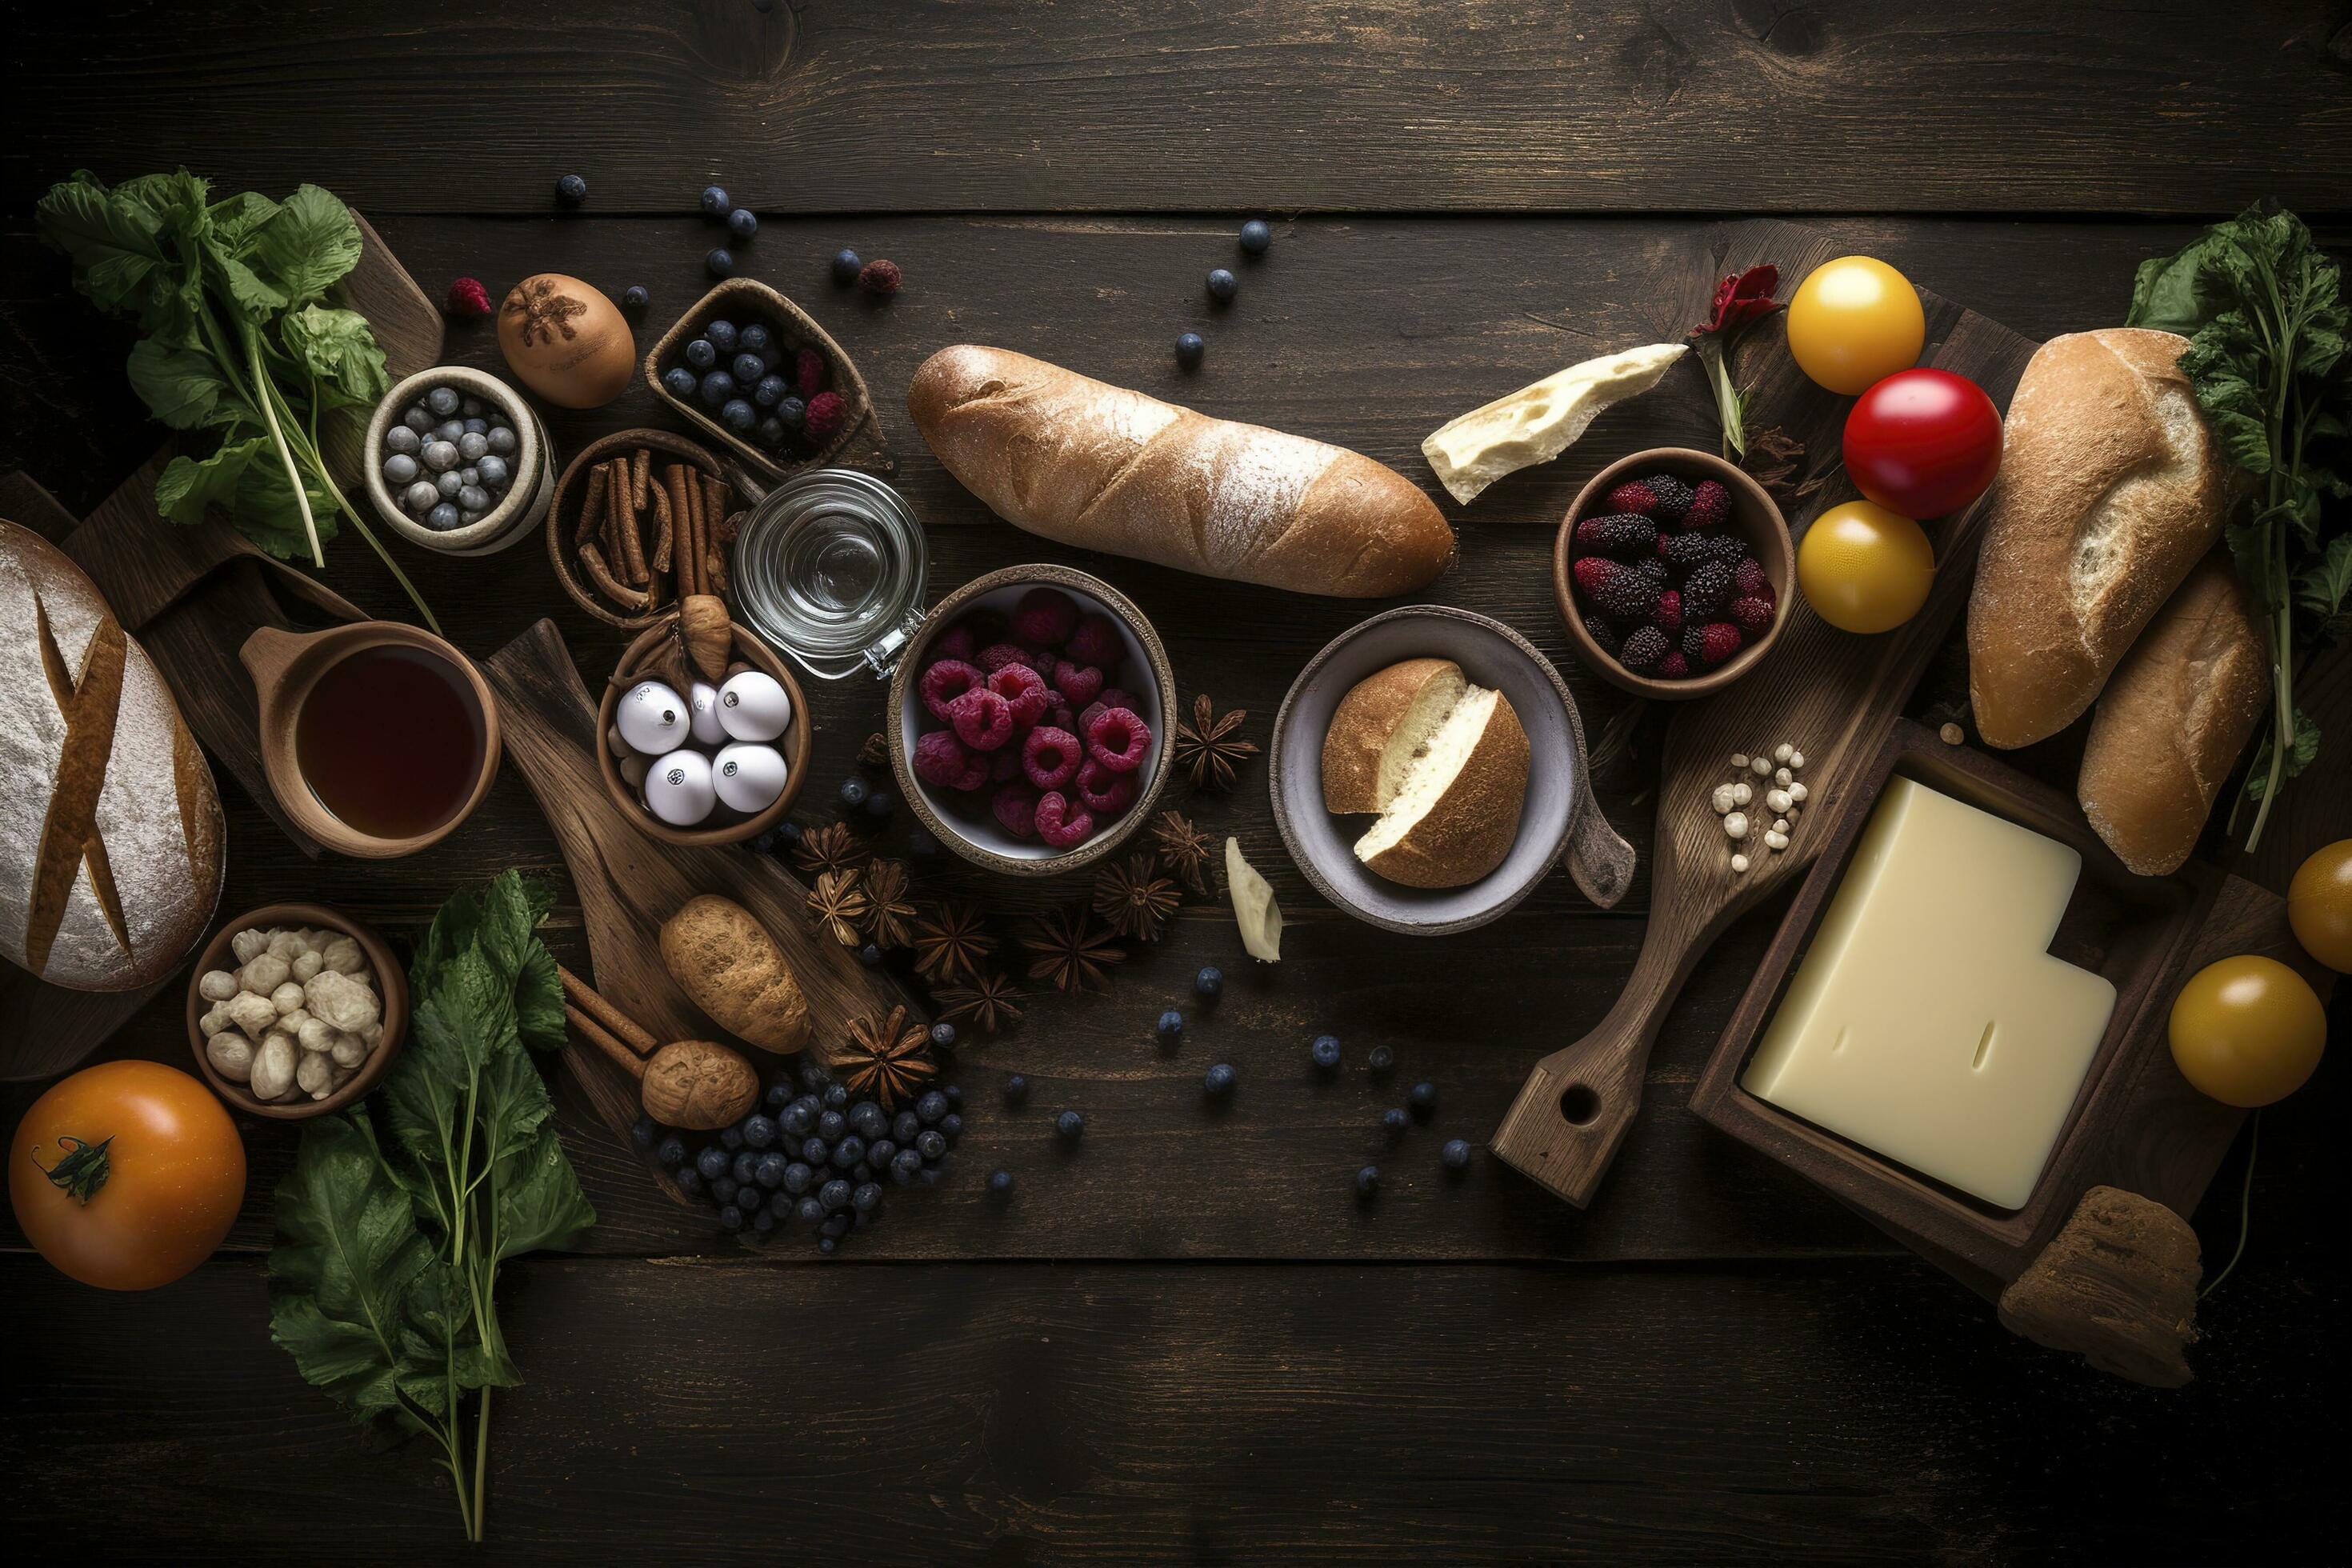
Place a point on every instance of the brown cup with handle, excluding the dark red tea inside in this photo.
(286, 666)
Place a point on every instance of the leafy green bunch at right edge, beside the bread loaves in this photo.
(2266, 321)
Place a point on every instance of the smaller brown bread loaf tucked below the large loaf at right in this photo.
(2174, 721)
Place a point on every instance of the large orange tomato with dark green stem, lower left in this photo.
(126, 1174)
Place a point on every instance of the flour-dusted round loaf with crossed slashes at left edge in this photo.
(109, 826)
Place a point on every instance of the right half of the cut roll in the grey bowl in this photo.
(1457, 810)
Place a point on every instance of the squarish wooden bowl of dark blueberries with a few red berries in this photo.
(751, 370)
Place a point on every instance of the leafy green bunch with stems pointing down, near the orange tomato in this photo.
(392, 1228)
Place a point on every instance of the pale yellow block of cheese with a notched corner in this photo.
(1927, 1021)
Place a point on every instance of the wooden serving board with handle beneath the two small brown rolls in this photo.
(629, 883)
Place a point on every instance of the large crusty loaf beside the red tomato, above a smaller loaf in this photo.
(2111, 490)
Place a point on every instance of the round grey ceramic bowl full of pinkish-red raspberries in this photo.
(1031, 721)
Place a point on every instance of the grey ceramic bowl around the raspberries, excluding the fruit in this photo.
(977, 836)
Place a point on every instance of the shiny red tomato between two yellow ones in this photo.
(1925, 443)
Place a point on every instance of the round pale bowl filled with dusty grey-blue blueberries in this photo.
(457, 462)
